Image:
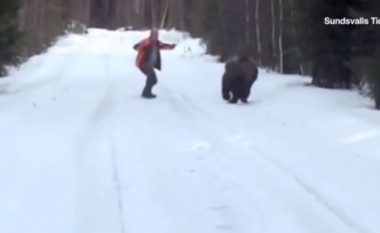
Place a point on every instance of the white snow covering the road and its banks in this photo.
(82, 152)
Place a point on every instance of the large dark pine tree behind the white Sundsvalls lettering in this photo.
(326, 47)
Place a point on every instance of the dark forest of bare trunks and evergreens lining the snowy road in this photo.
(287, 36)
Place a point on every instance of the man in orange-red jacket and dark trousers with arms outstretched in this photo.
(149, 58)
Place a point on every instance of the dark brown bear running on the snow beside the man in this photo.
(239, 75)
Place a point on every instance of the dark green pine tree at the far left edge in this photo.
(10, 36)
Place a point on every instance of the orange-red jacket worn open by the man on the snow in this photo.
(144, 49)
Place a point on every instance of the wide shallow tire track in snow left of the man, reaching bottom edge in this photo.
(97, 148)
